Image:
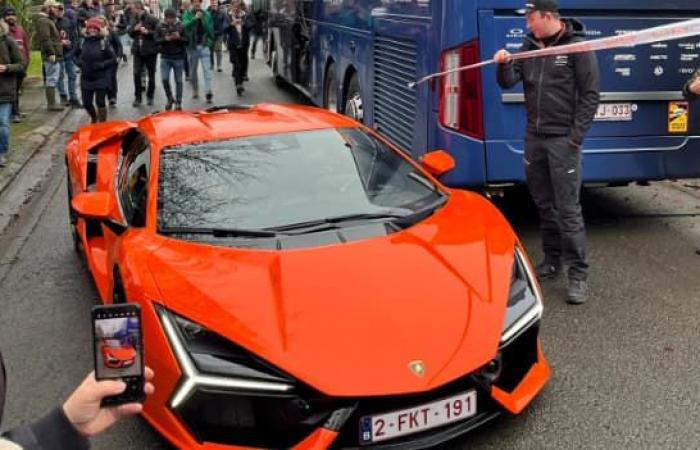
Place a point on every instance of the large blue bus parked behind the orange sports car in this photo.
(357, 56)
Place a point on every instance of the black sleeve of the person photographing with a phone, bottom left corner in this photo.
(52, 431)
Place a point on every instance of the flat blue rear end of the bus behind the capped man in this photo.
(643, 129)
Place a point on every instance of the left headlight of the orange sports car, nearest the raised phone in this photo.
(208, 360)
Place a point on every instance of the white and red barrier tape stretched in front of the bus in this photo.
(661, 33)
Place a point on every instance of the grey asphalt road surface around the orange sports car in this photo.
(624, 365)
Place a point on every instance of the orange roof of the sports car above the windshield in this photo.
(182, 127)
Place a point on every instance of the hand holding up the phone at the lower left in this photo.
(83, 406)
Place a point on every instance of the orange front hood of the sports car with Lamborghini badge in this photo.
(349, 319)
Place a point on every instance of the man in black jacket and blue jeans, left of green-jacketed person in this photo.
(173, 52)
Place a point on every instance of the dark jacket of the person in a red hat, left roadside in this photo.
(95, 59)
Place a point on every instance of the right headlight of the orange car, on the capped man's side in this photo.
(524, 302)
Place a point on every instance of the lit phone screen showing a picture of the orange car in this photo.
(117, 345)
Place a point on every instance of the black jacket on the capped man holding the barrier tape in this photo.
(561, 92)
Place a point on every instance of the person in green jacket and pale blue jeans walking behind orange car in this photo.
(199, 30)
